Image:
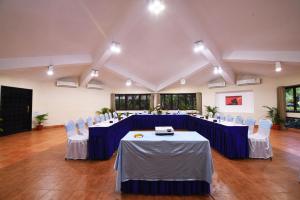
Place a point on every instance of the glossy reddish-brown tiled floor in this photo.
(32, 166)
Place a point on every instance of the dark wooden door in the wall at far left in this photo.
(16, 109)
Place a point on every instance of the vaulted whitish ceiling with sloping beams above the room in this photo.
(244, 37)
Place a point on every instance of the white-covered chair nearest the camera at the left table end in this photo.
(76, 144)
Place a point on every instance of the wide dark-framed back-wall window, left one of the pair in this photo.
(132, 101)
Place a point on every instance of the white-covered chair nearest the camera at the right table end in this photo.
(259, 143)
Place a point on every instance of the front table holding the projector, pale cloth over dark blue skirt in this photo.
(179, 164)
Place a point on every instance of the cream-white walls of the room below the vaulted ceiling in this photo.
(64, 104)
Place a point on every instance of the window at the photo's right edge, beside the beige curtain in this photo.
(292, 99)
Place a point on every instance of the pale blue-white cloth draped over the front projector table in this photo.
(184, 156)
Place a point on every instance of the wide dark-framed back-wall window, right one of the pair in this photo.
(178, 101)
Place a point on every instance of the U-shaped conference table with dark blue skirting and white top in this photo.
(229, 139)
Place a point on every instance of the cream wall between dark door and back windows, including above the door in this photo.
(62, 104)
